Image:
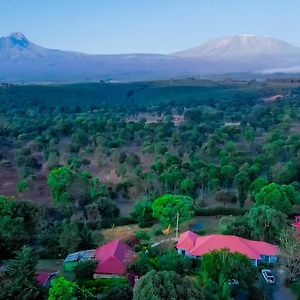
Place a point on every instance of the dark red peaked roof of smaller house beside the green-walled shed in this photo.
(114, 257)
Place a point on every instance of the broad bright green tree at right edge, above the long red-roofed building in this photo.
(280, 197)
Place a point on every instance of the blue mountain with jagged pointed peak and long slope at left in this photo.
(22, 60)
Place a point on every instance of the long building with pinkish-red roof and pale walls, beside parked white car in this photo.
(192, 245)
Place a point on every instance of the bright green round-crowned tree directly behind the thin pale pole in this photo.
(165, 208)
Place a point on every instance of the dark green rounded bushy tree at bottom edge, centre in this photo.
(165, 286)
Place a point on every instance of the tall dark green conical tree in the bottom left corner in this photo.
(19, 278)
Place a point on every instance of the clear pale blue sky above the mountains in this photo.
(146, 26)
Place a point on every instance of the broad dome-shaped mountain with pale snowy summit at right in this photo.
(245, 53)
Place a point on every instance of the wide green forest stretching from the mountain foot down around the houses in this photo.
(77, 160)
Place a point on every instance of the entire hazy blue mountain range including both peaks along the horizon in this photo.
(22, 60)
